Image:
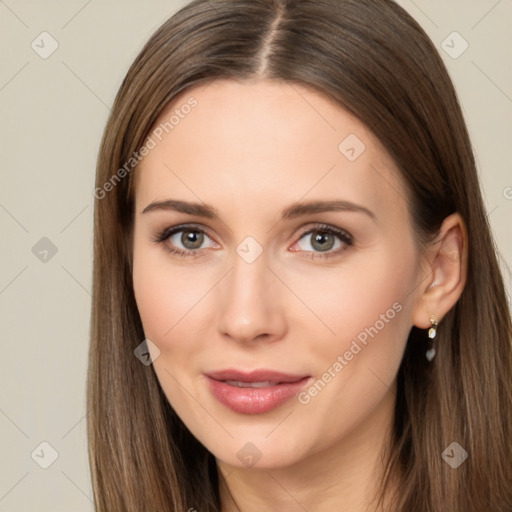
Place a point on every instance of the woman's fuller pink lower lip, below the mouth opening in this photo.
(254, 400)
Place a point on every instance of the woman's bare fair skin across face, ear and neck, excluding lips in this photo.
(250, 149)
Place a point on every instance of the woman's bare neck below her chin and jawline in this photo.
(346, 477)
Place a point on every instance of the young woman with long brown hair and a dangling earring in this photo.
(289, 227)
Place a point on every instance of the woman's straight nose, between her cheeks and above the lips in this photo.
(251, 303)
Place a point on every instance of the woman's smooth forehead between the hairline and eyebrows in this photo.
(261, 142)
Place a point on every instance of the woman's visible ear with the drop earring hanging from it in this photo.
(446, 265)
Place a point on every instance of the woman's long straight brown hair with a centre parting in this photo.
(375, 61)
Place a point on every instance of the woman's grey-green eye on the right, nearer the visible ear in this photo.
(323, 239)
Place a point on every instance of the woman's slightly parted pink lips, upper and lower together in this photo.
(247, 400)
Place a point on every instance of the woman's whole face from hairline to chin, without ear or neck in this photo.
(273, 280)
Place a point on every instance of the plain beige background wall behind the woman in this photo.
(53, 112)
